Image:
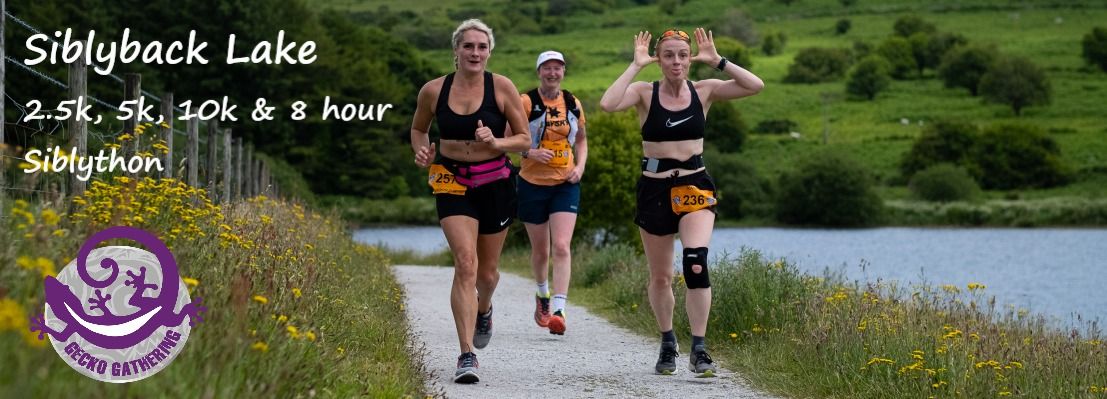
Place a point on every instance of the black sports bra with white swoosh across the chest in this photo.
(663, 126)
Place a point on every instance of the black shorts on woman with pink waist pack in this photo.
(493, 206)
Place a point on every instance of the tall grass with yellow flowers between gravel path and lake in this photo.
(806, 336)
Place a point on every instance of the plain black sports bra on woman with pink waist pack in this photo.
(454, 127)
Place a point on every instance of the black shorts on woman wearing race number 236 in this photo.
(655, 212)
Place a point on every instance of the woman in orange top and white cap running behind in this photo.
(550, 188)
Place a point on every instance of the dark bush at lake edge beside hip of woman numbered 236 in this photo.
(742, 192)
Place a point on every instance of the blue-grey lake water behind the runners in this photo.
(1056, 272)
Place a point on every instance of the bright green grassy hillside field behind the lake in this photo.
(598, 47)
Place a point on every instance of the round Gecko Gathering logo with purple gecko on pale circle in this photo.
(123, 335)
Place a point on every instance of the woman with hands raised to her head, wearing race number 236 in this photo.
(676, 195)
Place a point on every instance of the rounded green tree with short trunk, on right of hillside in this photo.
(1018, 83)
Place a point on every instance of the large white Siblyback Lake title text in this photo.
(68, 50)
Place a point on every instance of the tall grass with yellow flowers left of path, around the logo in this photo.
(295, 308)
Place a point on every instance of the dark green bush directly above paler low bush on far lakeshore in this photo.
(942, 142)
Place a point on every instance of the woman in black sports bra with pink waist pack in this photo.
(474, 196)
